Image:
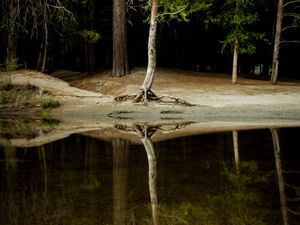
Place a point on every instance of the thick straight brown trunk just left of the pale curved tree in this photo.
(120, 55)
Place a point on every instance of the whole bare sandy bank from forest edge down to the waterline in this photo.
(212, 95)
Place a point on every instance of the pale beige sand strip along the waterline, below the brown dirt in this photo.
(278, 107)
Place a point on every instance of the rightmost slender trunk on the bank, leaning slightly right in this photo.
(277, 43)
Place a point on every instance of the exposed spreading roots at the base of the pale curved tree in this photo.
(148, 96)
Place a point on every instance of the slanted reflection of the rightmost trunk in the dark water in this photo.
(280, 178)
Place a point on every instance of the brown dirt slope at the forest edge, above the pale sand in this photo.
(168, 81)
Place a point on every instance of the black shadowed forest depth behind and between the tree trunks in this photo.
(189, 45)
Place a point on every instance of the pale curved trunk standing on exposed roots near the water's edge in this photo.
(148, 81)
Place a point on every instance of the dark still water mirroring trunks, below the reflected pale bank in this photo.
(193, 180)
